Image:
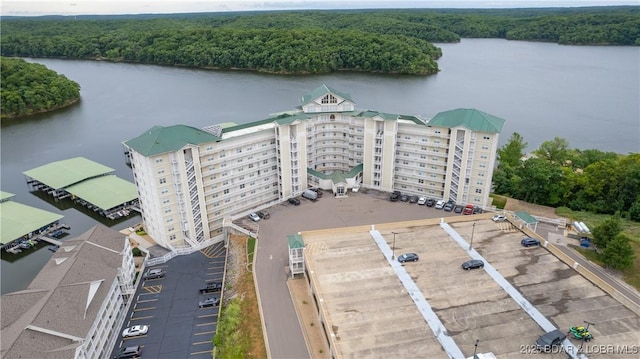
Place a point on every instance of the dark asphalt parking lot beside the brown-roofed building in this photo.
(169, 306)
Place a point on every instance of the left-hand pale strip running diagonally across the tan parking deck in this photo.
(449, 346)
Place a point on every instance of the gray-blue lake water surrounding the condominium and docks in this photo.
(587, 95)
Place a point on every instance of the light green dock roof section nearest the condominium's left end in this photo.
(105, 192)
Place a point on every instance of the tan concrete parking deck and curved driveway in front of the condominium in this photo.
(469, 303)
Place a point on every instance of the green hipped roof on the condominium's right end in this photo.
(470, 118)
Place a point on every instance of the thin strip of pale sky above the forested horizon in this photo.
(110, 7)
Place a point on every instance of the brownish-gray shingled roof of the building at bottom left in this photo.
(56, 299)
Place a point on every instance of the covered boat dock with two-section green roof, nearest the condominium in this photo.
(87, 183)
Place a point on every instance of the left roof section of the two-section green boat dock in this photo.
(64, 173)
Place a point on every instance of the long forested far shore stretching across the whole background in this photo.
(300, 42)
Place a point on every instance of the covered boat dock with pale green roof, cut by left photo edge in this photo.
(23, 226)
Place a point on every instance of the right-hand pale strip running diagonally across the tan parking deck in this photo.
(542, 321)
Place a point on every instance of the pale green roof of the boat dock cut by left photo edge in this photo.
(17, 219)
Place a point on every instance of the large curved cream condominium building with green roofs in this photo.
(190, 179)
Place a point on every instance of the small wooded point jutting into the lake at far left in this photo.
(29, 88)
